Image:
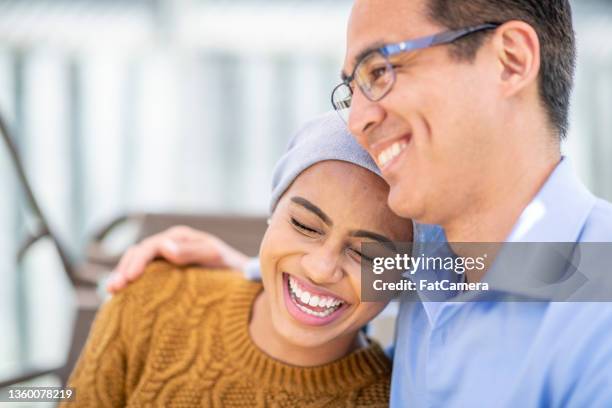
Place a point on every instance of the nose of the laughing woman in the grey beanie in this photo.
(322, 266)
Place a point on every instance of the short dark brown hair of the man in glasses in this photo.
(552, 21)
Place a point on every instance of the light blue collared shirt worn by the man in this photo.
(513, 354)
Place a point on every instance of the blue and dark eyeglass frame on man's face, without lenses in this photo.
(445, 37)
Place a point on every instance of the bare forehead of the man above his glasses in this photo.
(376, 22)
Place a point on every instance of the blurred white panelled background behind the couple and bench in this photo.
(183, 105)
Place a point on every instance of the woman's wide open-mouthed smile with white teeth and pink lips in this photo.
(309, 305)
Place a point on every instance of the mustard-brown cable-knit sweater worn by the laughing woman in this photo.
(178, 337)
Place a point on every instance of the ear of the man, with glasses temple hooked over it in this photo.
(518, 52)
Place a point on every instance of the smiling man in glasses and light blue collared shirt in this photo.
(464, 104)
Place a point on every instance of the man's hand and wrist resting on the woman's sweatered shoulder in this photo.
(180, 245)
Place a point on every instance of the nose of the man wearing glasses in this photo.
(364, 115)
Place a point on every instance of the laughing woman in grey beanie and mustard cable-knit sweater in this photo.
(194, 337)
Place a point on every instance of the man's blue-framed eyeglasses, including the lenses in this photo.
(374, 72)
